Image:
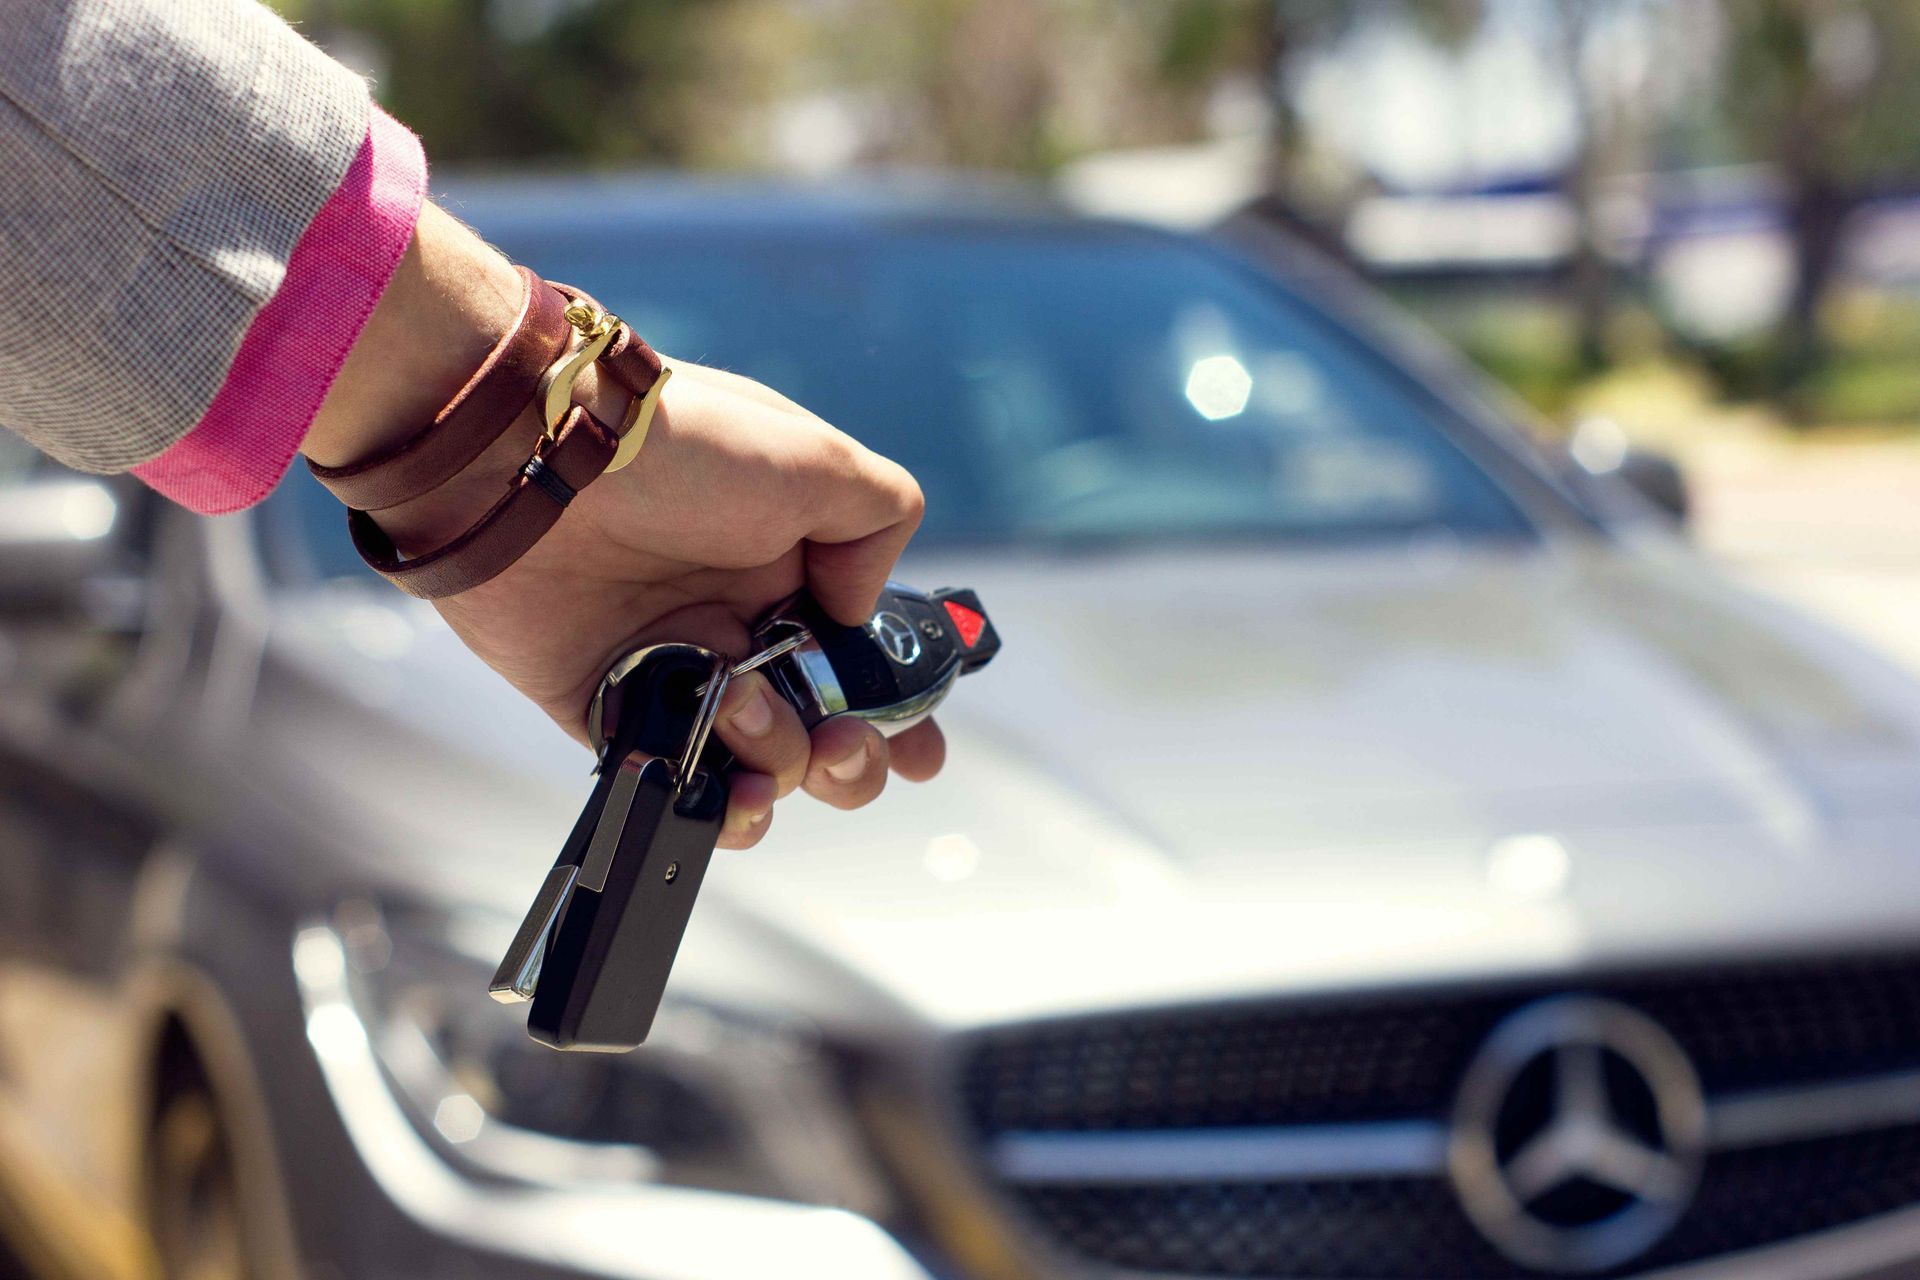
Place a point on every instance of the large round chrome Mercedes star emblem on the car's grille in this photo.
(1579, 1135)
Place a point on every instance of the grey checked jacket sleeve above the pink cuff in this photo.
(158, 162)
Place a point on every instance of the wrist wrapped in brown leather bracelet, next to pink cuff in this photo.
(420, 439)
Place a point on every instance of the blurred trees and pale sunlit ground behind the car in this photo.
(1694, 218)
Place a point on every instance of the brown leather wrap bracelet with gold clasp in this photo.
(558, 335)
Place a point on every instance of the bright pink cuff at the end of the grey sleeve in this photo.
(297, 344)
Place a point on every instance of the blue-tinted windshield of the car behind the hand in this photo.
(1072, 385)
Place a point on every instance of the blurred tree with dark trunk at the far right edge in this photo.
(1829, 91)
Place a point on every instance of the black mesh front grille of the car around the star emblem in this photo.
(1397, 1058)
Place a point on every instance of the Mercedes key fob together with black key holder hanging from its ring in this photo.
(598, 945)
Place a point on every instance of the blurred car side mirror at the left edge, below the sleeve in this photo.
(60, 536)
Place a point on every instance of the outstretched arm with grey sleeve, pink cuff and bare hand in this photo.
(214, 252)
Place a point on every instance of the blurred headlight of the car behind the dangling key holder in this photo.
(713, 1101)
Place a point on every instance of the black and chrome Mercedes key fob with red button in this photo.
(894, 671)
